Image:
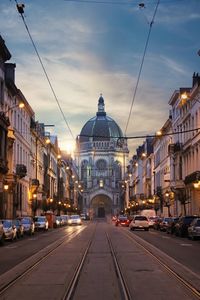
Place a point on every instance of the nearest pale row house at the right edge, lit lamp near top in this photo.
(185, 152)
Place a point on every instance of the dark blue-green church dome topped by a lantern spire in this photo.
(101, 127)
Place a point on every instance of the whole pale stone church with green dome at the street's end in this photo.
(101, 158)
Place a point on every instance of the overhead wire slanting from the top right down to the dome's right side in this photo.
(141, 65)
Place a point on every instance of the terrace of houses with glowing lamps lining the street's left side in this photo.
(33, 174)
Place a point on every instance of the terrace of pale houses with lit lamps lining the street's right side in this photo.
(167, 178)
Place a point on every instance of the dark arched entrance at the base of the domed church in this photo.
(101, 206)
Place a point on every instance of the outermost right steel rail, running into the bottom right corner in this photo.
(169, 270)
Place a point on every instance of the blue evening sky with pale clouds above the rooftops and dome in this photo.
(93, 47)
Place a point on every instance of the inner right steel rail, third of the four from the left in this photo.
(125, 291)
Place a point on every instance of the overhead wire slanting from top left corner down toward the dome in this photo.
(20, 8)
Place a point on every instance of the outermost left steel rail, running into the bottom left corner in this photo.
(12, 282)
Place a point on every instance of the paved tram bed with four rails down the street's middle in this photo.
(113, 258)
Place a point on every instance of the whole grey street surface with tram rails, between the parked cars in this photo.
(55, 255)
